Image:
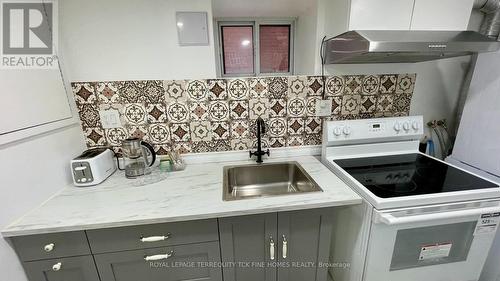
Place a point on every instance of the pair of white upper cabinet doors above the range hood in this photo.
(409, 14)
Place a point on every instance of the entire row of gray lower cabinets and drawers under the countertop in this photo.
(284, 246)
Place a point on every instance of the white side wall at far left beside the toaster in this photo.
(32, 171)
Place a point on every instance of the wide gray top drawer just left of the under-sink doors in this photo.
(153, 235)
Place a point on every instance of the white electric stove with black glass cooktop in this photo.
(422, 219)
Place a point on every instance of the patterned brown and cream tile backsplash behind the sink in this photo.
(219, 114)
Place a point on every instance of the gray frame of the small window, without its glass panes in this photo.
(255, 23)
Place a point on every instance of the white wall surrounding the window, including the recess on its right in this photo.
(121, 40)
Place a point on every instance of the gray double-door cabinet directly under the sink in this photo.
(291, 245)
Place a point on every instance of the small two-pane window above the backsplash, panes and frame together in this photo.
(257, 47)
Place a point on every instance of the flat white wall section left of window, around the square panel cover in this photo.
(130, 39)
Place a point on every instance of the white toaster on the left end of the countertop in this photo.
(93, 166)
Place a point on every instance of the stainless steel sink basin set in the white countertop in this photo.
(269, 179)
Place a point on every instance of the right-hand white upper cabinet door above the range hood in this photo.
(441, 15)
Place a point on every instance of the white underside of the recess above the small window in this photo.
(261, 8)
